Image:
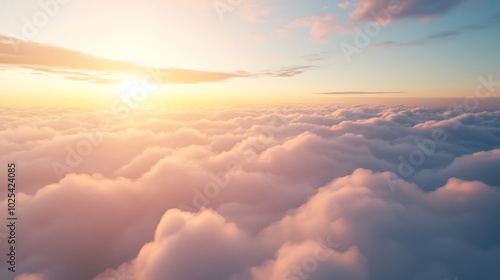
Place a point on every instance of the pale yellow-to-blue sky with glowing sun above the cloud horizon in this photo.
(274, 49)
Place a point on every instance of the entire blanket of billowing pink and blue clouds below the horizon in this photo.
(263, 193)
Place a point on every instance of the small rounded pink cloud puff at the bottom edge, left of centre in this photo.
(217, 248)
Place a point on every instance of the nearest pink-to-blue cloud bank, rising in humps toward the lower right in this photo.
(355, 211)
